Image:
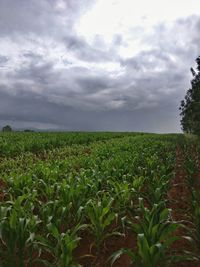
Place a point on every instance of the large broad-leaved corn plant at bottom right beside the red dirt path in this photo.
(154, 231)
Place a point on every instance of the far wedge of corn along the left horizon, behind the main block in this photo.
(15, 143)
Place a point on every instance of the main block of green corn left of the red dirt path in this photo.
(107, 188)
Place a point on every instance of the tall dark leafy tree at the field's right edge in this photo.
(190, 106)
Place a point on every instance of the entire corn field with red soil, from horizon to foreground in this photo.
(99, 199)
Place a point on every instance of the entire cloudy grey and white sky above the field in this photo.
(96, 65)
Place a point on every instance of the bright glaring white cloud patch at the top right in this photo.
(132, 20)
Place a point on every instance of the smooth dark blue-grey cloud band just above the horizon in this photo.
(38, 112)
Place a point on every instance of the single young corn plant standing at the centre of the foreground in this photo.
(100, 217)
